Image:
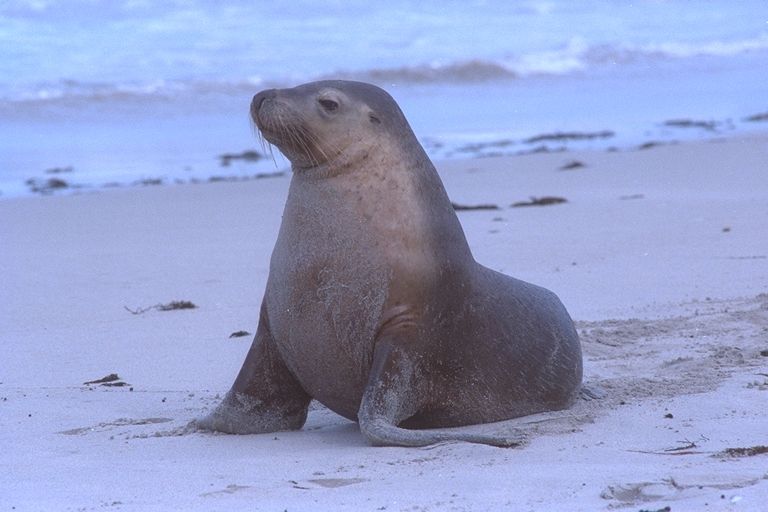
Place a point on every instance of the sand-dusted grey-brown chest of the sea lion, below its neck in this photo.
(328, 285)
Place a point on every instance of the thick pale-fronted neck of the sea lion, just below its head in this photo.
(396, 193)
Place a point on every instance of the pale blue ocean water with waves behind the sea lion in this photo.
(117, 92)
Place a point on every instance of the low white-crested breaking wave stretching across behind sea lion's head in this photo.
(575, 57)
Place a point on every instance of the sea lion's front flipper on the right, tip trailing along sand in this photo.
(395, 393)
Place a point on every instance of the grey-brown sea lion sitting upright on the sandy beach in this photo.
(374, 305)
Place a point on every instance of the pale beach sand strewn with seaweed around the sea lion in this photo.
(668, 290)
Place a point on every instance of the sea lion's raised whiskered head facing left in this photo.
(322, 124)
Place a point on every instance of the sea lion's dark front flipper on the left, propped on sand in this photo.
(265, 397)
